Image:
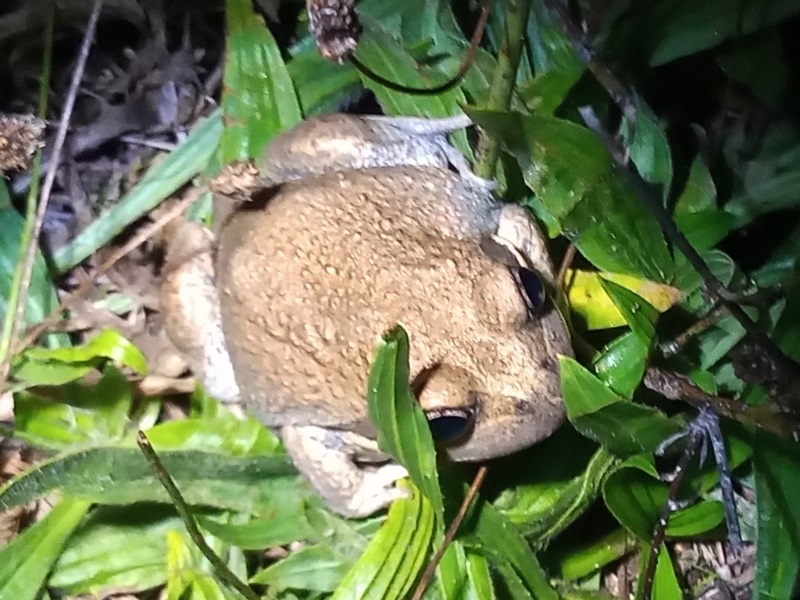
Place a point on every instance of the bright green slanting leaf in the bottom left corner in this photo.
(26, 561)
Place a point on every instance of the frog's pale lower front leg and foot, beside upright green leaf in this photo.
(324, 456)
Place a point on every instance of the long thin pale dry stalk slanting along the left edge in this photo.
(47, 186)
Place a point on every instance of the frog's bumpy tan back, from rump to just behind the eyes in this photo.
(324, 266)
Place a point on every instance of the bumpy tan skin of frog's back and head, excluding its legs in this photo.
(311, 276)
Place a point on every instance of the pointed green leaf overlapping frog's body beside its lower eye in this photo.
(403, 430)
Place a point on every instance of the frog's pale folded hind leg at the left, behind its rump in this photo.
(191, 311)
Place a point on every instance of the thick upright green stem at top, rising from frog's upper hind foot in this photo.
(505, 77)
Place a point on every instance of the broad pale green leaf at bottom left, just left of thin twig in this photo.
(117, 547)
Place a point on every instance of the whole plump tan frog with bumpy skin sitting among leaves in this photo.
(358, 224)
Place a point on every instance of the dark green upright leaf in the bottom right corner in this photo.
(777, 476)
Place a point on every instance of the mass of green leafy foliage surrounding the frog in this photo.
(631, 289)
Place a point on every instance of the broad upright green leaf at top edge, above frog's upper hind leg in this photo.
(258, 100)
